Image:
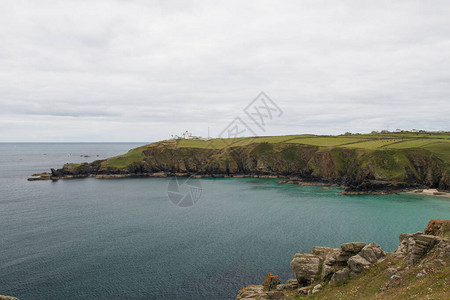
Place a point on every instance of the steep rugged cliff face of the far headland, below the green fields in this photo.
(358, 169)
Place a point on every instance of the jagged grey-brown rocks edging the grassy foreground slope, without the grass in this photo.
(330, 266)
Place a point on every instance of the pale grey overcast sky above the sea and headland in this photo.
(138, 71)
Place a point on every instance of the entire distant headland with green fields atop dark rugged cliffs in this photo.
(364, 164)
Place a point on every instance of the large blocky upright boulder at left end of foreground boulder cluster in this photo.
(305, 267)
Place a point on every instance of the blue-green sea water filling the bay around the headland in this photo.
(124, 239)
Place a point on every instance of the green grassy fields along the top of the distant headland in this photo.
(366, 143)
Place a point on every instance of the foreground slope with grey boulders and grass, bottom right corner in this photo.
(418, 268)
